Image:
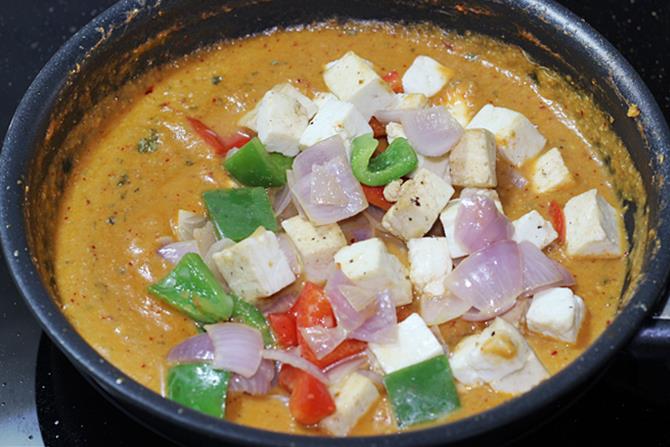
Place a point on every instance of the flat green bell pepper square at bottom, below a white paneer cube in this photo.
(422, 392)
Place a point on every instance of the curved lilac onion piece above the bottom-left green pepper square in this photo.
(237, 347)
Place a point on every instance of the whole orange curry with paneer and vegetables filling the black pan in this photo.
(295, 230)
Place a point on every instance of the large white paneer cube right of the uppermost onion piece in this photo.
(516, 137)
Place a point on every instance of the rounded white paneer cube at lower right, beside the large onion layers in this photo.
(557, 313)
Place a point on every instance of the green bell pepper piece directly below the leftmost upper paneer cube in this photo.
(252, 165)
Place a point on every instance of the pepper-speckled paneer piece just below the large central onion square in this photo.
(316, 245)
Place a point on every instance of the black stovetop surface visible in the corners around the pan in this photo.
(45, 401)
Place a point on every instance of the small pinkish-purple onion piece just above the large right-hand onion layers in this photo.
(479, 223)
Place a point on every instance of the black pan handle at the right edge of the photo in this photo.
(653, 339)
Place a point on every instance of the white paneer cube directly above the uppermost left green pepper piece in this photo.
(281, 121)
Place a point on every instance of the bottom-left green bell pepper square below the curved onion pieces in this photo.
(199, 386)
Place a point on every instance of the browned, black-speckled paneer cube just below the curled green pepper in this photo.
(419, 204)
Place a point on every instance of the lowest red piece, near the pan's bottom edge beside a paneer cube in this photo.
(310, 400)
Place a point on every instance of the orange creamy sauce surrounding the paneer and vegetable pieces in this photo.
(120, 202)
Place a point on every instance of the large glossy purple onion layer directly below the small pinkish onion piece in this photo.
(490, 279)
